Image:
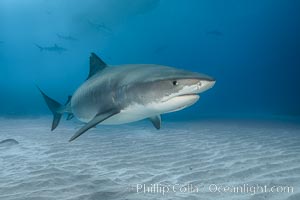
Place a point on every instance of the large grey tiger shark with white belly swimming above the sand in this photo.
(129, 93)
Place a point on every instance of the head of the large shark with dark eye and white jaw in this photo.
(169, 89)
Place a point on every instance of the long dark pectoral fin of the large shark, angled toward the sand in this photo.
(97, 119)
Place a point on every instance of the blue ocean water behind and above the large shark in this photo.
(252, 48)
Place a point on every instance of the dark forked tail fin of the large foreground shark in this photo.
(55, 107)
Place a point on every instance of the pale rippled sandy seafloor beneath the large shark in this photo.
(109, 161)
